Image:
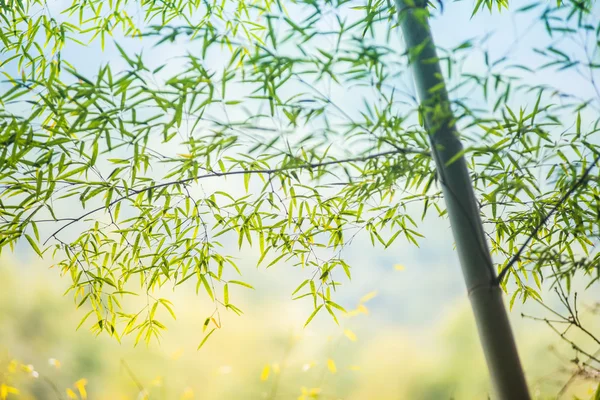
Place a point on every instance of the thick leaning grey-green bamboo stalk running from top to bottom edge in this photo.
(506, 374)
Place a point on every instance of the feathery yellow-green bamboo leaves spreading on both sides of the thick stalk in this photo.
(113, 169)
